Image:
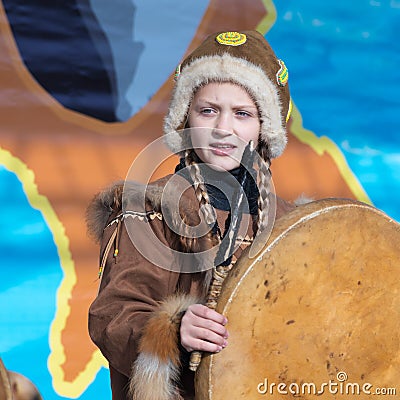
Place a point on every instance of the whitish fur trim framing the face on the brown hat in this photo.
(226, 68)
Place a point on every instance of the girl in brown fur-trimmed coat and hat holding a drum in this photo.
(148, 315)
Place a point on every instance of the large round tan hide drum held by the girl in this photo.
(315, 313)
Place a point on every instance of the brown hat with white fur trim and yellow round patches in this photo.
(244, 58)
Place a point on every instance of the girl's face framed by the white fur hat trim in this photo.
(231, 117)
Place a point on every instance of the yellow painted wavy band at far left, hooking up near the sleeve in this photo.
(57, 356)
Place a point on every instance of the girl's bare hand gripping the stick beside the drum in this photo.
(203, 329)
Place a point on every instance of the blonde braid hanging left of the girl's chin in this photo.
(199, 187)
